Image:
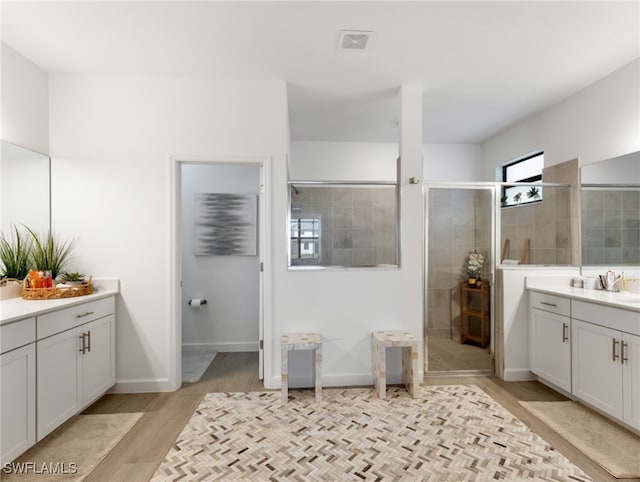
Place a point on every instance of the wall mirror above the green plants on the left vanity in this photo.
(25, 187)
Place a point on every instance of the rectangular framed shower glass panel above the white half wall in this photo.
(332, 224)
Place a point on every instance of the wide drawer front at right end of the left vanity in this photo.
(65, 319)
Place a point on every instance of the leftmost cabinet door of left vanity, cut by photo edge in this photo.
(18, 401)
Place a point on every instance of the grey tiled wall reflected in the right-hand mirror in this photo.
(610, 227)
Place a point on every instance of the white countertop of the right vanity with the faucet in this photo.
(562, 287)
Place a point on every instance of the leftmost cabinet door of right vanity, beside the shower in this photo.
(551, 348)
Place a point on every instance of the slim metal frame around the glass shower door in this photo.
(492, 187)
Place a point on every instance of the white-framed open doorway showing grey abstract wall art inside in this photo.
(229, 275)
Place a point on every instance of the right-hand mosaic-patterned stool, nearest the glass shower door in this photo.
(381, 340)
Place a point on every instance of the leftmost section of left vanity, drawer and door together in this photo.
(18, 385)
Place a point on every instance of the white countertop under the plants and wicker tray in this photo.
(16, 308)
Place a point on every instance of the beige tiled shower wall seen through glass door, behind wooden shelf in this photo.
(459, 221)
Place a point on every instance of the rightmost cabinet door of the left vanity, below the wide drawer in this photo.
(98, 362)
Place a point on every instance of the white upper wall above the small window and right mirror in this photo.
(597, 123)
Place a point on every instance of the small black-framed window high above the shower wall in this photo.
(525, 170)
